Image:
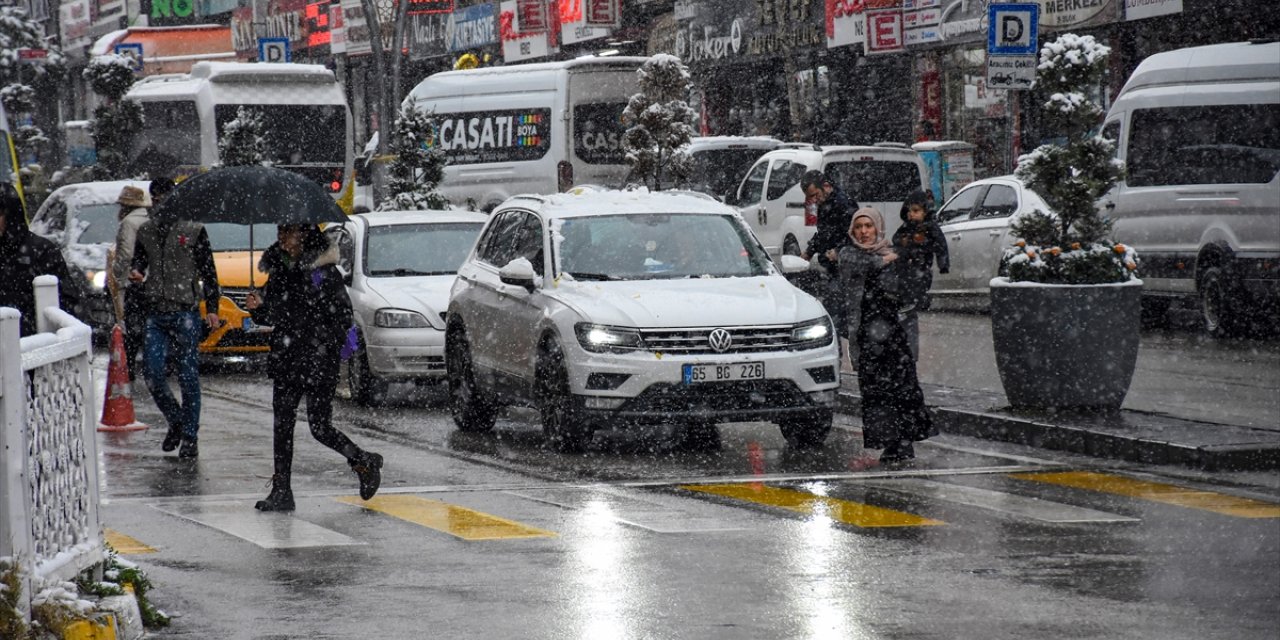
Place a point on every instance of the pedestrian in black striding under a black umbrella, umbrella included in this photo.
(305, 303)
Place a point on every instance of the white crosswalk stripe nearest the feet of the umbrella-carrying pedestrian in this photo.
(267, 531)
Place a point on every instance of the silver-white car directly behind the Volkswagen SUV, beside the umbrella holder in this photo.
(400, 268)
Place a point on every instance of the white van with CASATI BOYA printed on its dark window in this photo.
(529, 129)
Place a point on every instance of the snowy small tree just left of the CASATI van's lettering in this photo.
(418, 167)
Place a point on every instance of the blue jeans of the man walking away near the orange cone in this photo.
(180, 332)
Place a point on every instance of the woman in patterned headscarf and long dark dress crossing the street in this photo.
(894, 412)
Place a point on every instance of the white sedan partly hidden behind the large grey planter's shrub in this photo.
(976, 225)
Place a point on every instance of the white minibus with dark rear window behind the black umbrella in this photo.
(308, 124)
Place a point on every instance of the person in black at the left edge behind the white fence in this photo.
(24, 257)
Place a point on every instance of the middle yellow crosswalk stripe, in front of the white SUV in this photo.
(842, 511)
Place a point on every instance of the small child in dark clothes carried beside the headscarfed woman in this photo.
(918, 241)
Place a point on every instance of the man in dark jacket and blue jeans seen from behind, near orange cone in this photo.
(175, 264)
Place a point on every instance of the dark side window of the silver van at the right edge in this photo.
(1205, 145)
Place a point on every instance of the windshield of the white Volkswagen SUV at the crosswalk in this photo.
(652, 246)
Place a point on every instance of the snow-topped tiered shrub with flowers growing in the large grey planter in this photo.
(1072, 245)
